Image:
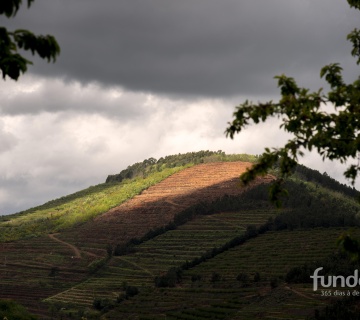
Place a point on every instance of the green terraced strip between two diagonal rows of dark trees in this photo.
(155, 257)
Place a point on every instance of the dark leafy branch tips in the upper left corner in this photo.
(12, 63)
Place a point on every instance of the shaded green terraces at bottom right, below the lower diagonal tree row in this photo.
(201, 295)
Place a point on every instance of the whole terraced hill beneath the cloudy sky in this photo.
(178, 238)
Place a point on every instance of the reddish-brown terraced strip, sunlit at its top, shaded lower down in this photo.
(157, 205)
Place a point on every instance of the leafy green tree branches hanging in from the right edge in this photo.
(334, 135)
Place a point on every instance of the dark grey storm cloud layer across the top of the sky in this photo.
(200, 47)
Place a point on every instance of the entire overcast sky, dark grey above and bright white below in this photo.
(149, 78)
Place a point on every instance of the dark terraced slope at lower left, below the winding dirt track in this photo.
(33, 269)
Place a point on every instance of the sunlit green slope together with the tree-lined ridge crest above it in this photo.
(77, 208)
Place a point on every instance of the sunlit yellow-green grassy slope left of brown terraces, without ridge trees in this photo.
(70, 211)
